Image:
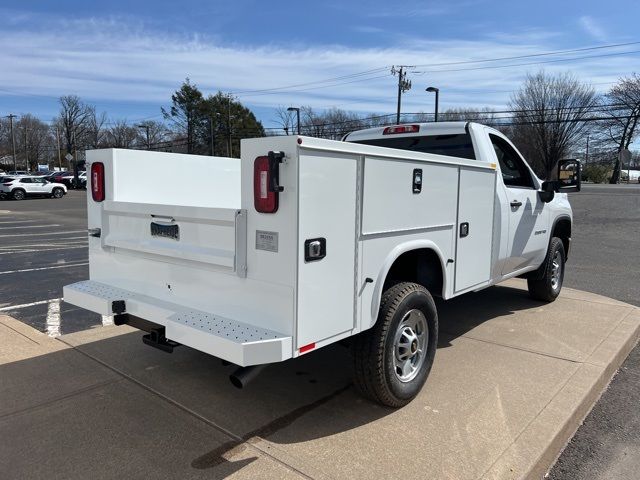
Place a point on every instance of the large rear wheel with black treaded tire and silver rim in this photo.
(377, 375)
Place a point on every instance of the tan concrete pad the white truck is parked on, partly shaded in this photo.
(513, 378)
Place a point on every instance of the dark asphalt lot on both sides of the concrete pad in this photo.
(43, 247)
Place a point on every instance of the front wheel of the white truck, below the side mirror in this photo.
(546, 282)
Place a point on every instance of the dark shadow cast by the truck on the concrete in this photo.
(293, 402)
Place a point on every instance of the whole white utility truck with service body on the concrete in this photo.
(304, 242)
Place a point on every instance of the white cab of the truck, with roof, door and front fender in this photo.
(527, 214)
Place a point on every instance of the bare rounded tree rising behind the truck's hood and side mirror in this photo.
(550, 113)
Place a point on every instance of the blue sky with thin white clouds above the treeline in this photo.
(127, 57)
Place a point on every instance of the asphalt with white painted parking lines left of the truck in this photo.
(43, 246)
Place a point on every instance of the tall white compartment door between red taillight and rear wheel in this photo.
(327, 210)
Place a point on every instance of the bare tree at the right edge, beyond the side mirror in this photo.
(622, 107)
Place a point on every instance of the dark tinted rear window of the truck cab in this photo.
(458, 145)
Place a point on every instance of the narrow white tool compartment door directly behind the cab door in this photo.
(476, 195)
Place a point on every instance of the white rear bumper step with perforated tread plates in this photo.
(237, 342)
